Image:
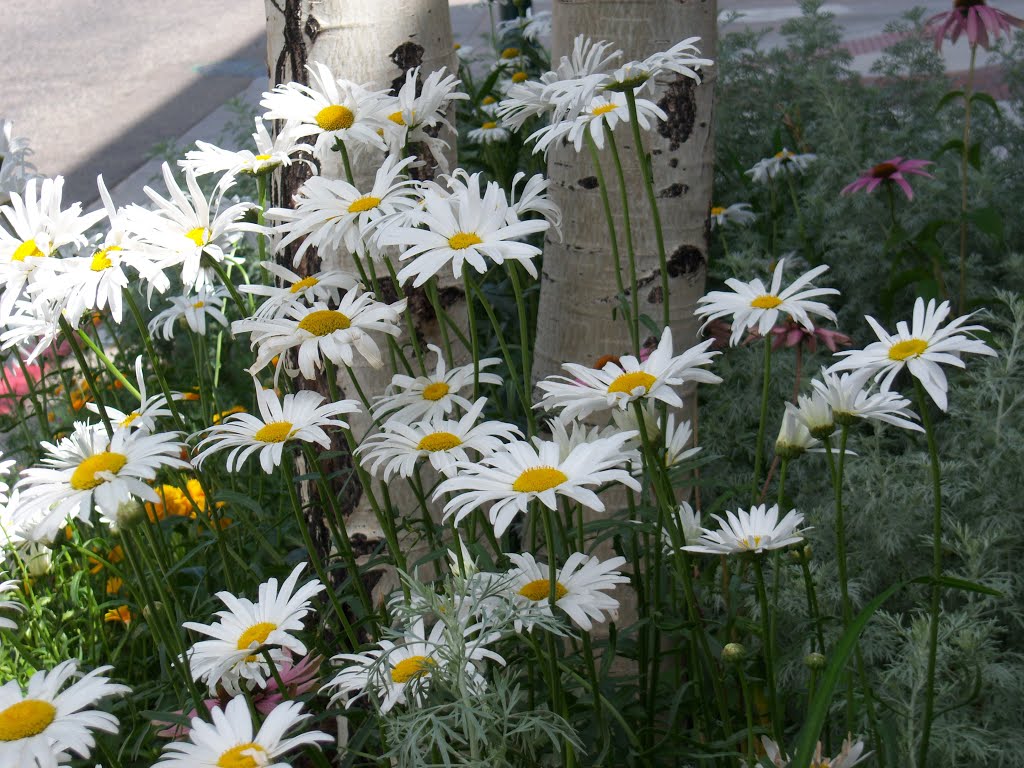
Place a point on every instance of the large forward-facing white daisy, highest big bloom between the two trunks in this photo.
(464, 227)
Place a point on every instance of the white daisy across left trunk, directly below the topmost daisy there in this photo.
(330, 215)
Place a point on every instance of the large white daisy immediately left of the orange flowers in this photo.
(89, 468)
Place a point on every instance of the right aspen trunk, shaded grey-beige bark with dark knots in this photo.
(579, 288)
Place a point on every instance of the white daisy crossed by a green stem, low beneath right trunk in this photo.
(580, 588)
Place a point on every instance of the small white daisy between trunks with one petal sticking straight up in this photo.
(411, 400)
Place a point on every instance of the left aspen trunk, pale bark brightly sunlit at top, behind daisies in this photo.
(374, 44)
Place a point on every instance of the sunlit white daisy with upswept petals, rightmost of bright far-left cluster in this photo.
(183, 231)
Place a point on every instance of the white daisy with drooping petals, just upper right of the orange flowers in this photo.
(302, 416)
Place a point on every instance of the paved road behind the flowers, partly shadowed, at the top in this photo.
(97, 84)
